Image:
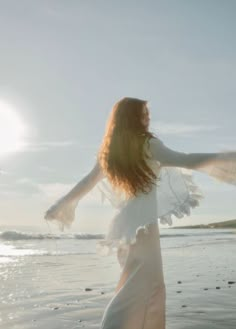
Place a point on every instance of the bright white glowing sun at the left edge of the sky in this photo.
(12, 130)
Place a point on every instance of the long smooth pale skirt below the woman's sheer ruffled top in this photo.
(139, 300)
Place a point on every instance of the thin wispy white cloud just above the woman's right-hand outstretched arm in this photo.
(181, 128)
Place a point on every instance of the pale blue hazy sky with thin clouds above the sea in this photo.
(65, 63)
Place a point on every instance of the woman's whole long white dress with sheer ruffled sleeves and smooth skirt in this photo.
(140, 296)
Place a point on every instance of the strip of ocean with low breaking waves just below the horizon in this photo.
(17, 243)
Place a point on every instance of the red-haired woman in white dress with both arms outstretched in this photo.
(144, 179)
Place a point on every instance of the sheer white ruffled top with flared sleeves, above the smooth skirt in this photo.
(173, 194)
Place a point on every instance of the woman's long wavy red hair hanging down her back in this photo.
(121, 155)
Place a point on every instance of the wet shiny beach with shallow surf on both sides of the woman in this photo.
(60, 282)
